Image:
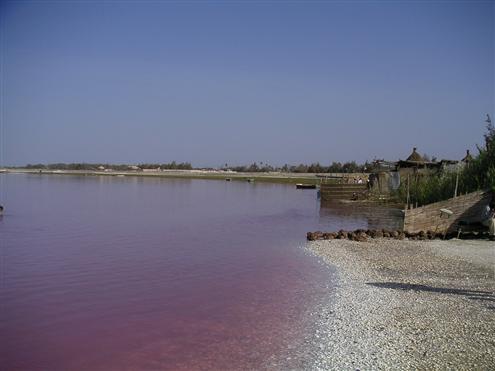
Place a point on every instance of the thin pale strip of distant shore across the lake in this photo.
(270, 177)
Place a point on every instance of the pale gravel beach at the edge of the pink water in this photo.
(408, 305)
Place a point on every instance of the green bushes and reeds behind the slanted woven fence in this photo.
(477, 174)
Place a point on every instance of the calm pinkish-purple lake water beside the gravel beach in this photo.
(102, 273)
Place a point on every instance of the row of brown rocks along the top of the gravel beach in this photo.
(362, 235)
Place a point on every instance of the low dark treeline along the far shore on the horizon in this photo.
(335, 167)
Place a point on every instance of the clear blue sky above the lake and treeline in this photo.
(236, 82)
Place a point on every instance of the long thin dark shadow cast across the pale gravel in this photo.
(485, 296)
